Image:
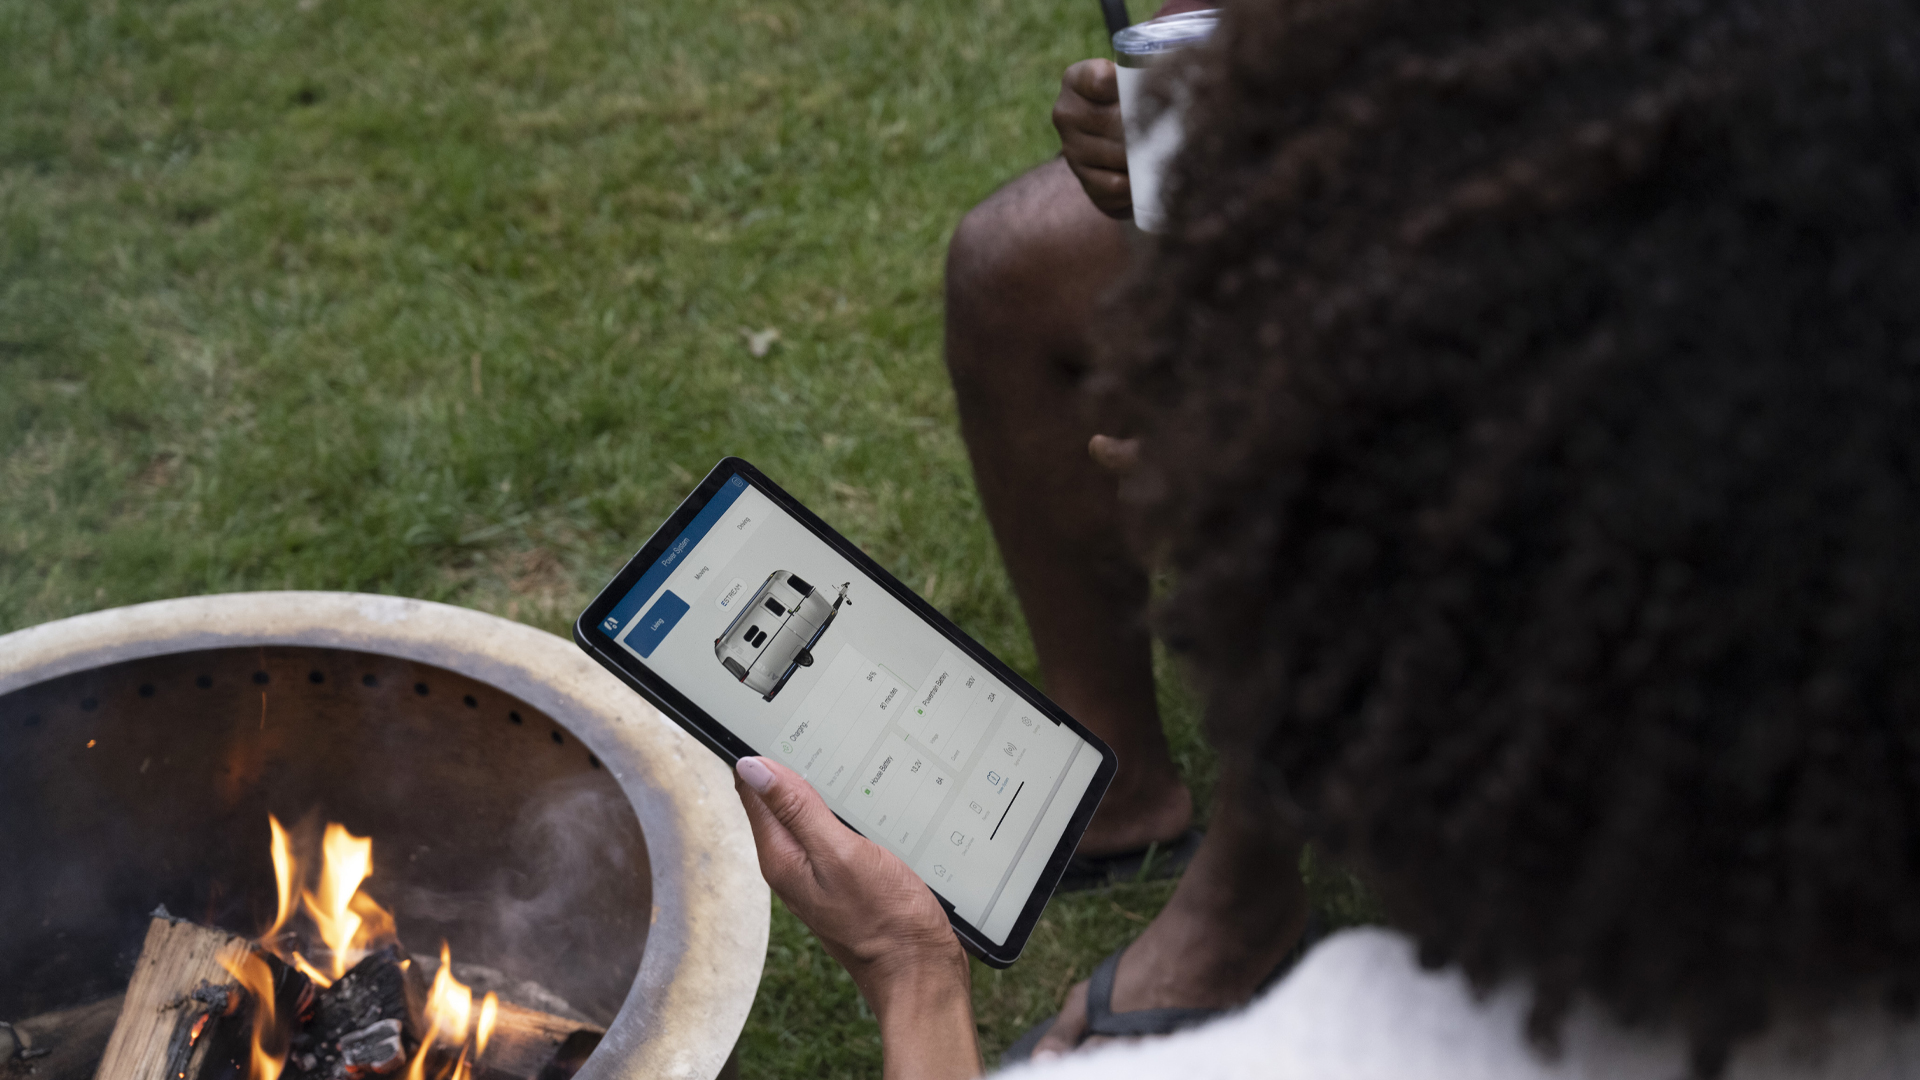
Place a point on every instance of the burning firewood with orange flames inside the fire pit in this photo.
(210, 1006)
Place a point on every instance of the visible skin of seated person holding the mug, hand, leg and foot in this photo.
(1024, 280)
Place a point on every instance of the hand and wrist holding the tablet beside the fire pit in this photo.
(873, 916)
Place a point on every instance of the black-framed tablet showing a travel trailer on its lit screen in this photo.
(765, 633)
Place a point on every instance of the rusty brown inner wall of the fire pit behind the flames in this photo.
(527, 864)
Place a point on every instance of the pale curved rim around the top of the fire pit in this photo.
(702, 968)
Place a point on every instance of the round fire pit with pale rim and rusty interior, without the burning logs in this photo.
(571, 847)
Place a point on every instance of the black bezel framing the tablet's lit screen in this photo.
(731, 749)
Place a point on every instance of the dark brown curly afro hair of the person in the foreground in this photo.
(1529, 399)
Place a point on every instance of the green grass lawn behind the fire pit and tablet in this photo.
(452, 301)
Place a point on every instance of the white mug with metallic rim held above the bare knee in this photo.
(1153, 141)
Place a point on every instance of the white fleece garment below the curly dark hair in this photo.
(1360, 1008)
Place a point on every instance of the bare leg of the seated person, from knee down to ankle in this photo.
(1024, 276)
